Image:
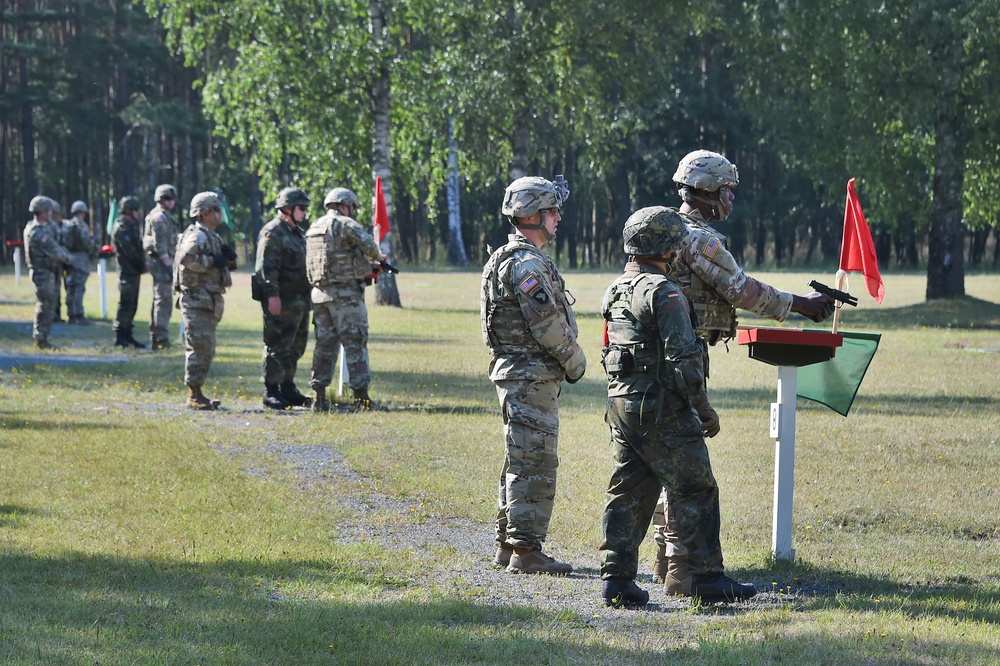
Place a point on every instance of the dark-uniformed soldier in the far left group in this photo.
(126, 236)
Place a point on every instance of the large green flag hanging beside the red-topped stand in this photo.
(834, 383)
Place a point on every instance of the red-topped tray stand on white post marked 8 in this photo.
(789, 349)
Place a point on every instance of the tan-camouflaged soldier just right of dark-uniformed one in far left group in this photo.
(159, 241)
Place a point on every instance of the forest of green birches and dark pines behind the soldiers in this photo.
(449, 100)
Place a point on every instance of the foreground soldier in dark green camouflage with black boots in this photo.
(657, 409)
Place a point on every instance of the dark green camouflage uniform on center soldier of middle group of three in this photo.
(281, 271)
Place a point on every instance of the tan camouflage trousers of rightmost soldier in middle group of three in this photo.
(343, 321)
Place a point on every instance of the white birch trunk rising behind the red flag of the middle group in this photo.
(386, 293)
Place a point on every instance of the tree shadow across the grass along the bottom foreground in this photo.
(95, 609)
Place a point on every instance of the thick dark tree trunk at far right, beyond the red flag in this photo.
(946, 238)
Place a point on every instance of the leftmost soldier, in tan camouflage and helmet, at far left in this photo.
(46, 258)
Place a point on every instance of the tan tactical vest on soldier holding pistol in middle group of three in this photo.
(328, 259)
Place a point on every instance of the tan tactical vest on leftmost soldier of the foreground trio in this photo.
(505, 330)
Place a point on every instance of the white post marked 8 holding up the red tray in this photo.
(783, 429)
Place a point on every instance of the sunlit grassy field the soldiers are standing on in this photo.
(133, 530)
